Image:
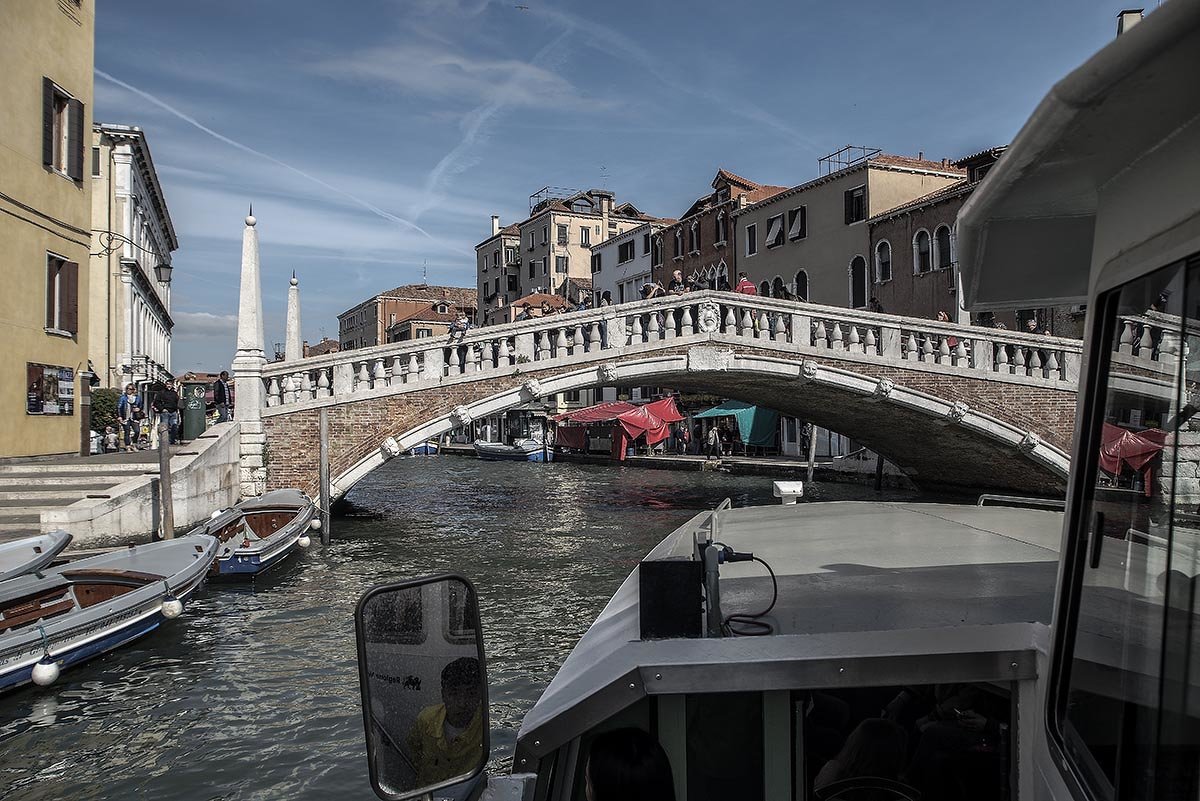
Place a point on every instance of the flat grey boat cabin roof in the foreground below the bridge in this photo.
(872, 593)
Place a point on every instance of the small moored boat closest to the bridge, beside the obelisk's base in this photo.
(260, 534)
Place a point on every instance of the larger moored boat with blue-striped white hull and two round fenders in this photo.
(65, 616)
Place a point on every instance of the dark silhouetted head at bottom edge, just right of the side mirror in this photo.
(628, 766)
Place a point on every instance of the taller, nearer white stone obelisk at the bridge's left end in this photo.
(248, 369)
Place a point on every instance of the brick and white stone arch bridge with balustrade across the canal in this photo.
(951, 406)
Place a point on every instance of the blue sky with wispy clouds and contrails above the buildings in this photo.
(376, 138)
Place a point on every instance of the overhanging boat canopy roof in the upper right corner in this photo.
(1106, 164)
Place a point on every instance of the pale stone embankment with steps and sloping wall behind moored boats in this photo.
(117, 495)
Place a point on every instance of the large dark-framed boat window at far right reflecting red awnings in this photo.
(1127, 663)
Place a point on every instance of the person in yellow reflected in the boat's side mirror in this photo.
(447, 740)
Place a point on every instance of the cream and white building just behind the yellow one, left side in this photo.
(130, 328)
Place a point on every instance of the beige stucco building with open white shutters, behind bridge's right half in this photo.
(813, 240)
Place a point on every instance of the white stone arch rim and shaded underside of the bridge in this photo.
(937, 442)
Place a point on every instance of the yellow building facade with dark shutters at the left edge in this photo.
(46, 98)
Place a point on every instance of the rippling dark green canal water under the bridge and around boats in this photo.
(254, 694)
